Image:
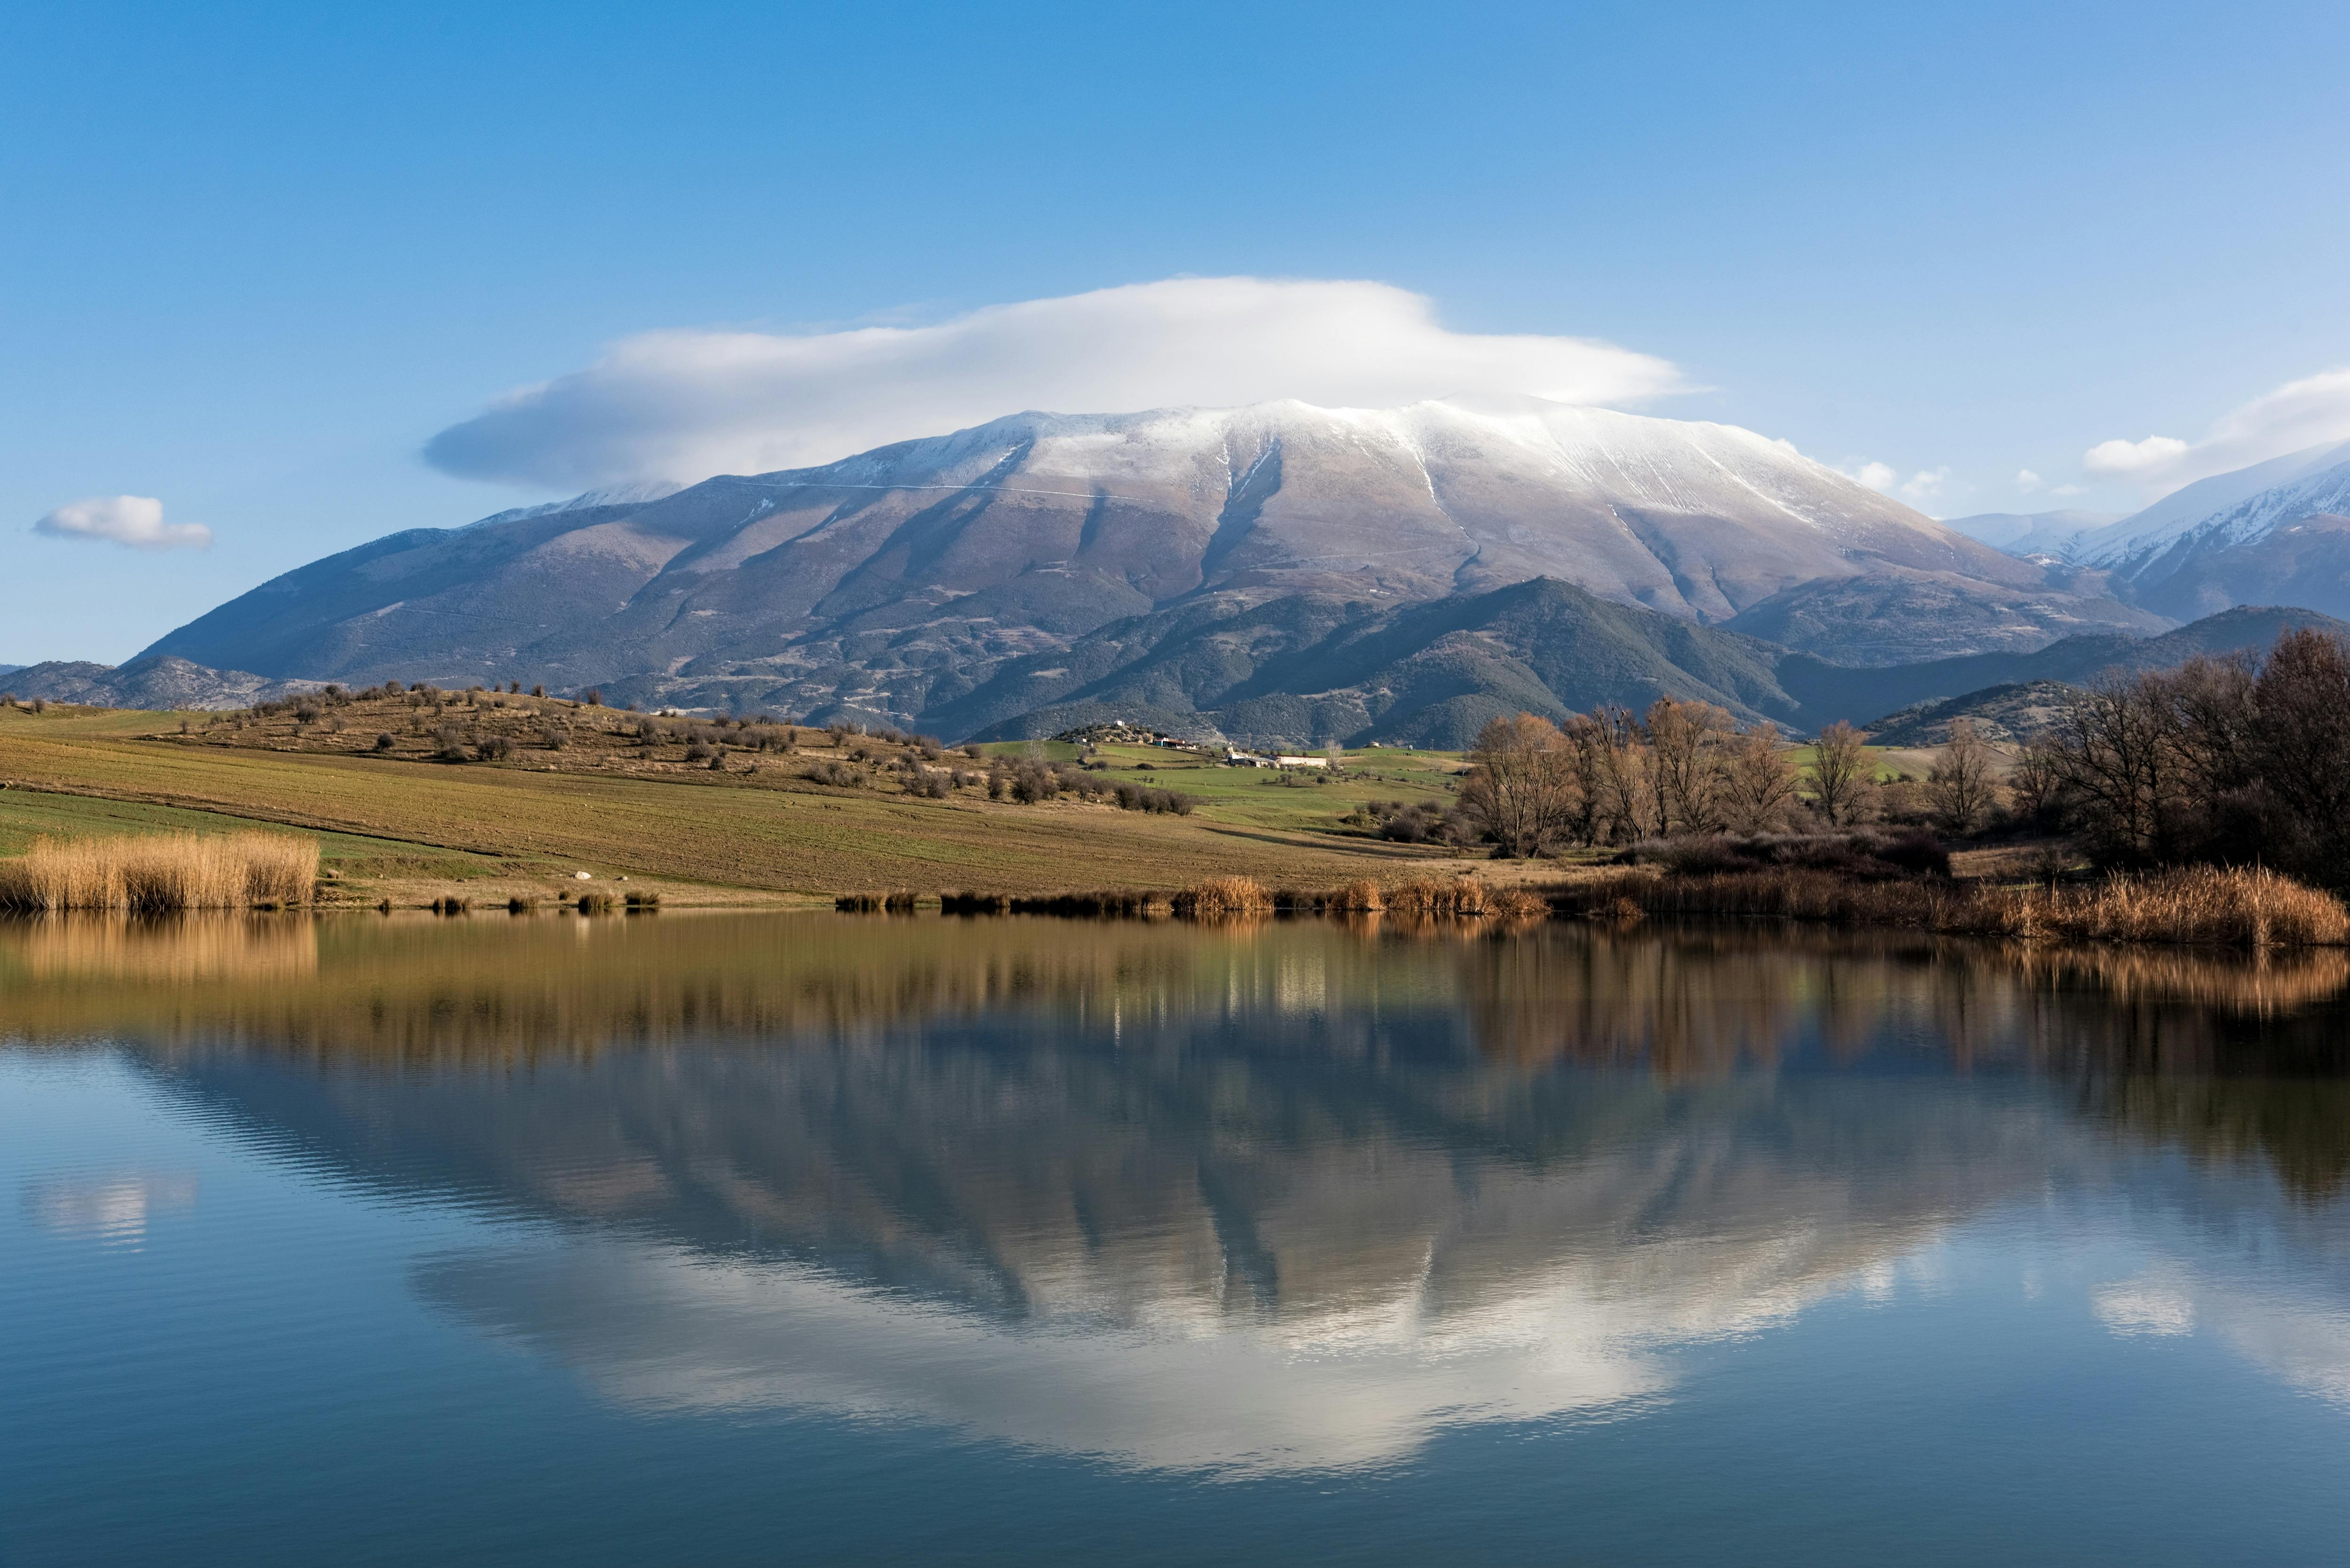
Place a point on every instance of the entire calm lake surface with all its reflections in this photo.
(746, 1240)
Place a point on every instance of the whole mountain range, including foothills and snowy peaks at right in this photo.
(1270, 575)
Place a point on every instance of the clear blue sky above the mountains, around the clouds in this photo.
(260, 255)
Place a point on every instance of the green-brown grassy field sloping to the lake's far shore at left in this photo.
(398, 826)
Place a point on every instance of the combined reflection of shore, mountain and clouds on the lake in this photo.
(1280, 1198)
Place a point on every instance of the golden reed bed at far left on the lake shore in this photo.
(163, 873)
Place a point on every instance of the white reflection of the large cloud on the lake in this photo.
(666, 1329)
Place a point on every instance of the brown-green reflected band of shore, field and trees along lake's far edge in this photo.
(2175, 1045)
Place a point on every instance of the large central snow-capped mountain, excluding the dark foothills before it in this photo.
(904, 582)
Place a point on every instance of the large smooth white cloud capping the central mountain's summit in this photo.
(687, 406)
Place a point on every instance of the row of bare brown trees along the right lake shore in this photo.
(2229, 760)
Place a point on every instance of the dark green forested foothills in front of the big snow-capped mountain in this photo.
(1312, 669)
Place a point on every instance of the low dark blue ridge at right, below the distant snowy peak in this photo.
(1837, 692)
